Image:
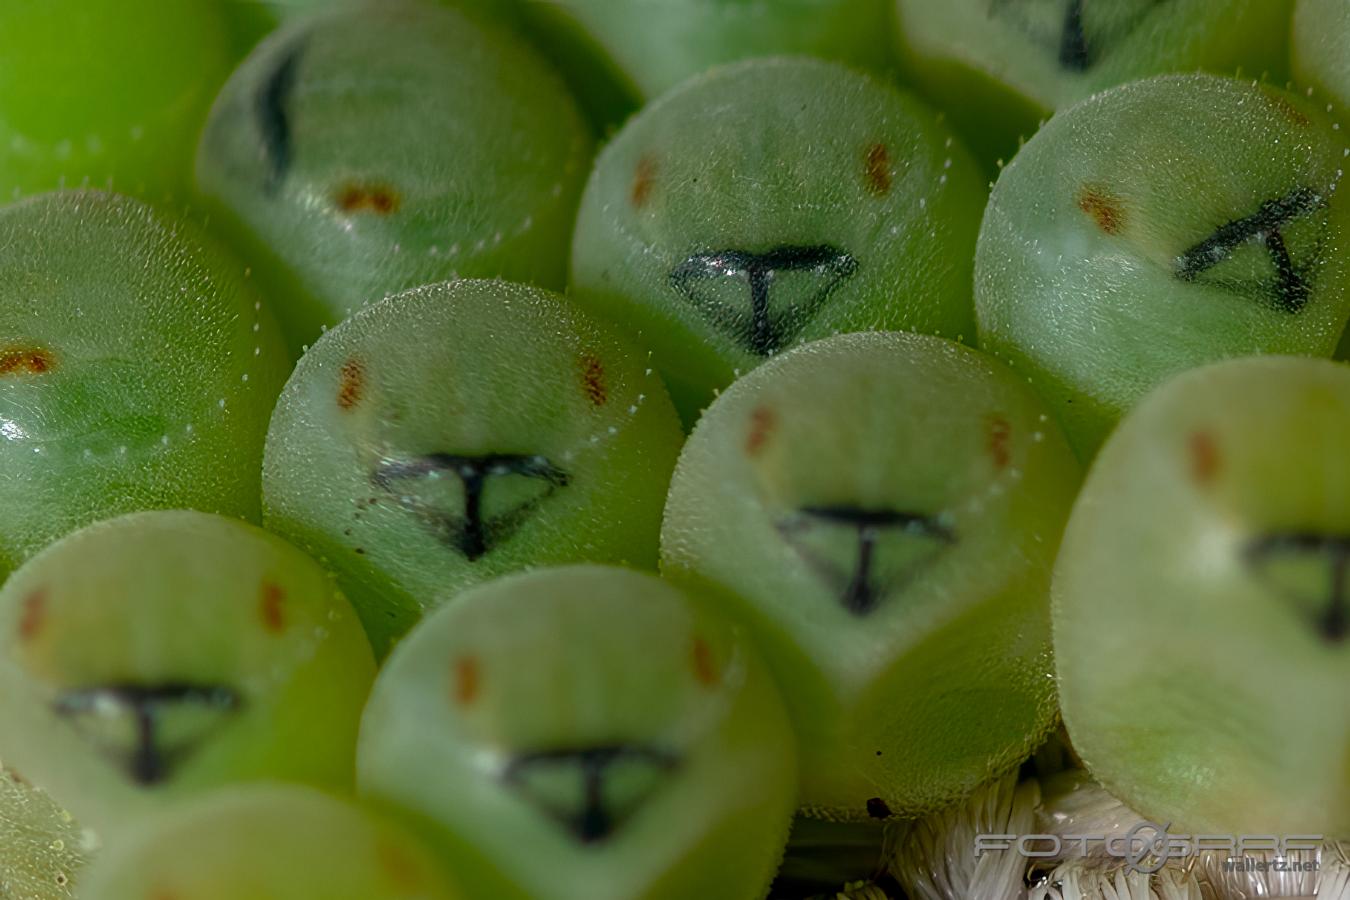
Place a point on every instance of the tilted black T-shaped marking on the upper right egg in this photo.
(1263, 227)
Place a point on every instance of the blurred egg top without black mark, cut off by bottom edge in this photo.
(269, 844)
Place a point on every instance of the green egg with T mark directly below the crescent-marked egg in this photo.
(462, 431)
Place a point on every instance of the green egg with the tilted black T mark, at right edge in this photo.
(1158, 227)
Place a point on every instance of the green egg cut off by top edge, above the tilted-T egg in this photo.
(1002, 65)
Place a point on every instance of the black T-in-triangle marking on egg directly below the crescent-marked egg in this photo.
(472, 535)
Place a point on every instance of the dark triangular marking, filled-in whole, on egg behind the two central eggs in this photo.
(759, 326)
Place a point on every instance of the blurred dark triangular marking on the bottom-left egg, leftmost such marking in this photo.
(128, 721)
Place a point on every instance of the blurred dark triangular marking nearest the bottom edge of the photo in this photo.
(578, 787)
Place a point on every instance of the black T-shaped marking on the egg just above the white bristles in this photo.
(862, 594)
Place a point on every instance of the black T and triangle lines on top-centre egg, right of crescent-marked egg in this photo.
(761, 331)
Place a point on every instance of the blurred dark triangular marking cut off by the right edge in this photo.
(1310, 570)
